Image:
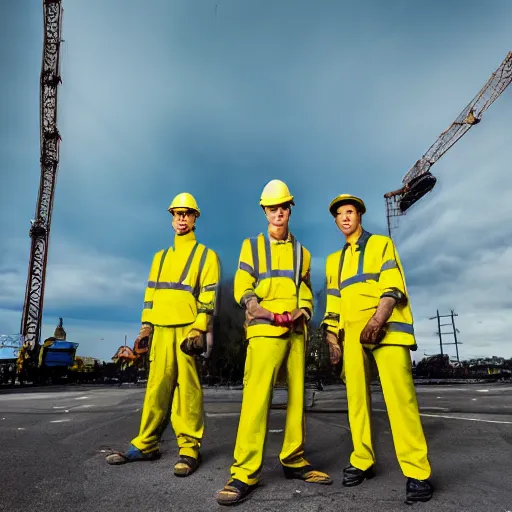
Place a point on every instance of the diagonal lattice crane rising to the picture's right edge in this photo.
(419, 181)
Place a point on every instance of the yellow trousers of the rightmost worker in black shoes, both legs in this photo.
(394, 365)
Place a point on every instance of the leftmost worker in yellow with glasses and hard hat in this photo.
(179, 305)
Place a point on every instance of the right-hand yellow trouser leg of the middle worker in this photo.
(292, 452)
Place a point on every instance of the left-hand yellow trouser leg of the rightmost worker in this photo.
(355, 364)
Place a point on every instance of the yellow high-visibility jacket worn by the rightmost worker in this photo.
(356, 278)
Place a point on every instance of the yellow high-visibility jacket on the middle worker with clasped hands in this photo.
(278, 274)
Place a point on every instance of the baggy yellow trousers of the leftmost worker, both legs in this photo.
(170, 369)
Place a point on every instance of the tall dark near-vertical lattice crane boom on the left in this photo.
(49, 141)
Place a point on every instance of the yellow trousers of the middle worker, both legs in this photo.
(264, 358)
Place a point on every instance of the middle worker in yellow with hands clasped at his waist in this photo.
(272, 283)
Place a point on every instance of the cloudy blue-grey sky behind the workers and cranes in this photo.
(218, 97)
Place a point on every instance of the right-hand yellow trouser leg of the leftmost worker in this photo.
(187, 413)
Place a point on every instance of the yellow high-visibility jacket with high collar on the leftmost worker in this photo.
(182, 285)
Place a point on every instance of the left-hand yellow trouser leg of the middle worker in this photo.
(264, 358)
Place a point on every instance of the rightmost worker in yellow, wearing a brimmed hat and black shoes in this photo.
(368, 314)
